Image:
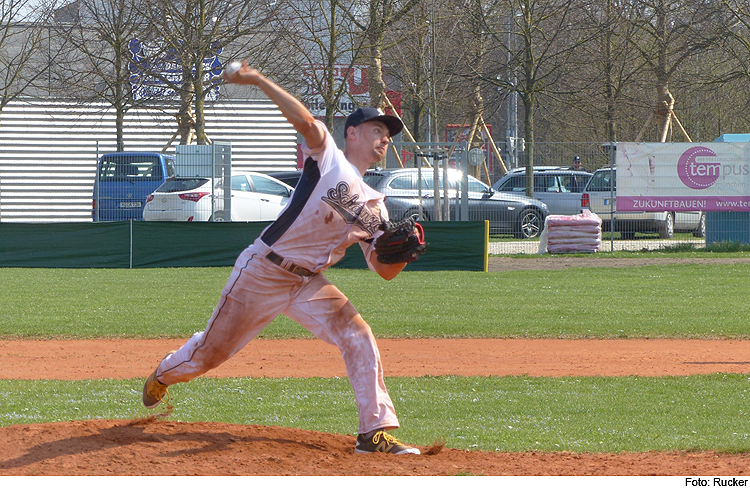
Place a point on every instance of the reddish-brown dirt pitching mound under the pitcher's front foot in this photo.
(154, 446)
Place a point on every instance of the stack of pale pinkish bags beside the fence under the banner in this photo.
(571, 233)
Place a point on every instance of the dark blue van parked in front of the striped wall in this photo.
(123, 182)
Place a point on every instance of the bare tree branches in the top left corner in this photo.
(22, 34)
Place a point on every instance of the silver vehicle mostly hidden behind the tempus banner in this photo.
(599, 196)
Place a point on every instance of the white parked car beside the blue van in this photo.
(255, 197)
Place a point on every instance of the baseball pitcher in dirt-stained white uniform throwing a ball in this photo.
(282, 271)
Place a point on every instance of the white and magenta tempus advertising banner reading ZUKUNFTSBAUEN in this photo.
(683, 177)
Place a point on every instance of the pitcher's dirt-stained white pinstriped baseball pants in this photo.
(256, 293)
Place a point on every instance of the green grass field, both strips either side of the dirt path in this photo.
(487, 413)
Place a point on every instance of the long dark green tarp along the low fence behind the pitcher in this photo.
(136, 244)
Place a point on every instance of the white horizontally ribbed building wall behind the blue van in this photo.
(49, 149)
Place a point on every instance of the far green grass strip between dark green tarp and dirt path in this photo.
(650, 301)
